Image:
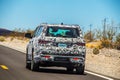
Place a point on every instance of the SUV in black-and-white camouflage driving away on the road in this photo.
(56, 45)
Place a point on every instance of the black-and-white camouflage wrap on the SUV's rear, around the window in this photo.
(50, 48)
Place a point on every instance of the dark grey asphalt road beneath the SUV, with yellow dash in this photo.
(12, 67)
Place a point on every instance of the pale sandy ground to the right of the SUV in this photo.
(107, 62)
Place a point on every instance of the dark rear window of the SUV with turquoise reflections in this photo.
(66, 32)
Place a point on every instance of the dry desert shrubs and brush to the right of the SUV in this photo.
(106, 37)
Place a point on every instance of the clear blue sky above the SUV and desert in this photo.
(30, 13)
